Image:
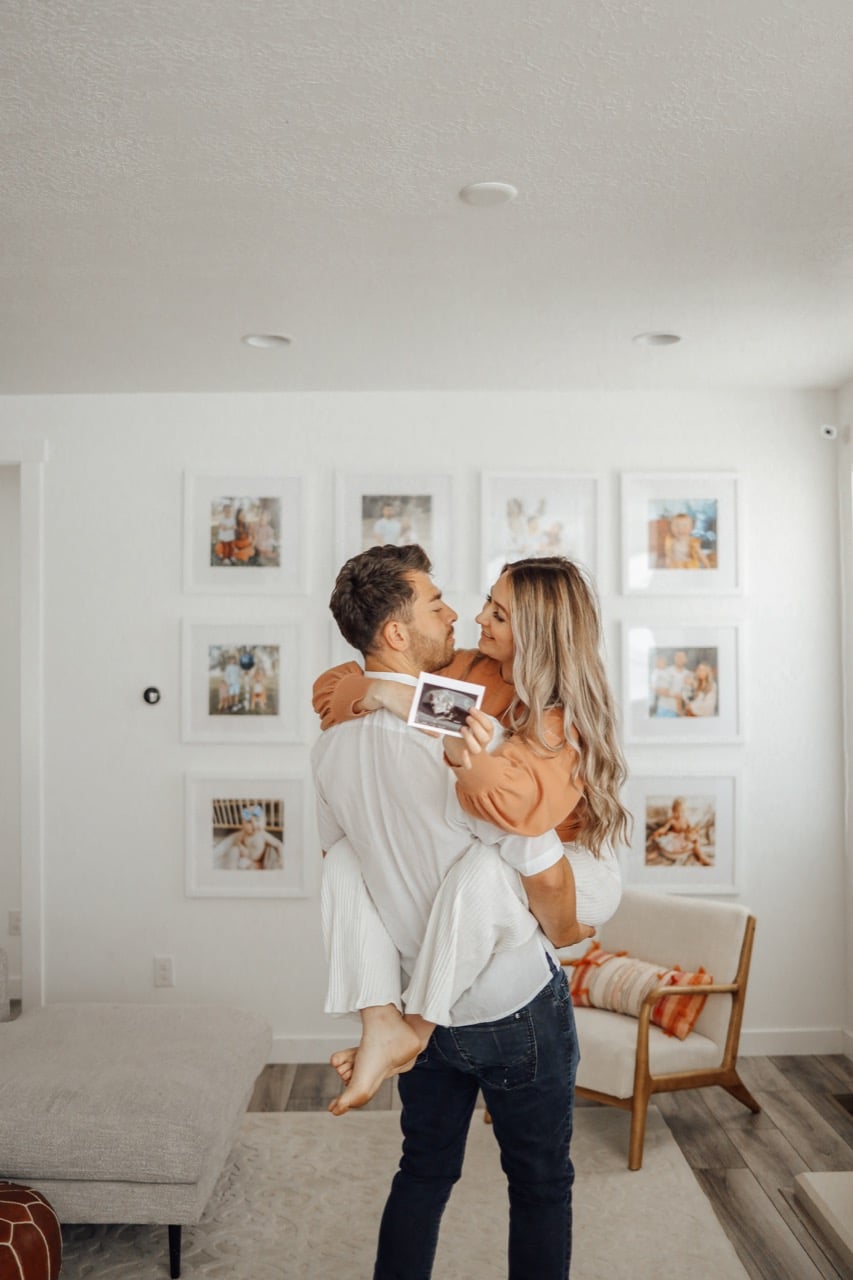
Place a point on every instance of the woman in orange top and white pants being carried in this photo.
(559, 767)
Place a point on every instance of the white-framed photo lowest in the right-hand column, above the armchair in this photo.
(685, 835)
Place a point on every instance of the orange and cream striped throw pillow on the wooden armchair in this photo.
(615, 981)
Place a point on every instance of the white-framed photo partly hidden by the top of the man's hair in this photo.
(386, 508)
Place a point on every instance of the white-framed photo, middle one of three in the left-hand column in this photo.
(243, 683)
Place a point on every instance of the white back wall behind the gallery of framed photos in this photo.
(115, 766)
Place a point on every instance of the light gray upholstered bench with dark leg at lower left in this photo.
(126, 1113)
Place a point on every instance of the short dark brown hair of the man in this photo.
(373, 588)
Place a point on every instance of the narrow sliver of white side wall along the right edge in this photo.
(845, 418)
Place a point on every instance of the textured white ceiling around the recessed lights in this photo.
(177, 173)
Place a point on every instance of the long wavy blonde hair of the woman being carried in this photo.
(556, 629)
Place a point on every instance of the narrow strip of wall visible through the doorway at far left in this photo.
(10, 720)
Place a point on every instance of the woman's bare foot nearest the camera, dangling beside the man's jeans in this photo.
(389, 1045)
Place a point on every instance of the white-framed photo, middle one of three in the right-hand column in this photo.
(682, 684)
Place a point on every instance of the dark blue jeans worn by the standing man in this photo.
(526, 1066)
